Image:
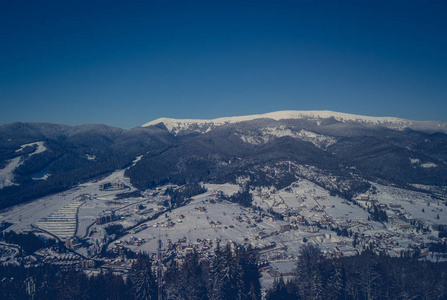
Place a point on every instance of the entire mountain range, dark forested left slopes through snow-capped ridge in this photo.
(341, 152)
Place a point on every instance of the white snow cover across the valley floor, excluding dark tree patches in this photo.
(74, 212)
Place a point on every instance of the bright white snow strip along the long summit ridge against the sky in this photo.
(200, 125)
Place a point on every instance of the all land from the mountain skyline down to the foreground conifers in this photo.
(276, 183)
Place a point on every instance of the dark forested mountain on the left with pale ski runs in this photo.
(68, 156)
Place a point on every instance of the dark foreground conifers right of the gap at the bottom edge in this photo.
(365, 276)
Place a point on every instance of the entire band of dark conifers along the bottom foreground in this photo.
(233, 273)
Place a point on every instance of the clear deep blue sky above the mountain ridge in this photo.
(125, 63)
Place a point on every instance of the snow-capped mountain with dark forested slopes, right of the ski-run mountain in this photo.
(352, 148)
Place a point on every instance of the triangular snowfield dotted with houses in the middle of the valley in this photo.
(212, 223)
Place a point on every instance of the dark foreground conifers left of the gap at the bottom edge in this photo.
(231, 274)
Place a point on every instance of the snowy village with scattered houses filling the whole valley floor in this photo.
(102, 225)
